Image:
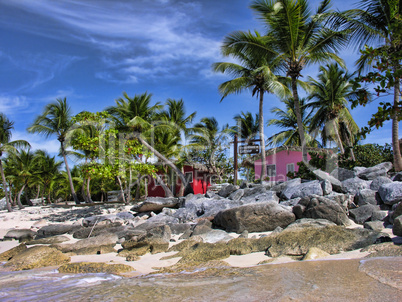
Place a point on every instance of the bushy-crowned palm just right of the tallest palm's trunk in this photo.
(330, 94)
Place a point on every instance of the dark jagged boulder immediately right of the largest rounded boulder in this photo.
(318, 207)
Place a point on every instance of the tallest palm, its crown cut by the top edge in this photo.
(297, 38)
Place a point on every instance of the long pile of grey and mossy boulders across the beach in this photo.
(306, 217)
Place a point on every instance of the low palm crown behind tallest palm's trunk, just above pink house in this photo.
(287, 120)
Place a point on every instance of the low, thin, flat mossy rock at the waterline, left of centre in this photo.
(95, 267)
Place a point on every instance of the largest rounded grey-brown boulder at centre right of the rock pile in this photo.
(258, 217)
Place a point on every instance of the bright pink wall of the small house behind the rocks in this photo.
(280, 159)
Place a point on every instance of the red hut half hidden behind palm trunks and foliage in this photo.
(198, 176)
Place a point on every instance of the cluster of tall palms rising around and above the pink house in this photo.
(295, 38)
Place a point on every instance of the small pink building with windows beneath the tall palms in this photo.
(280, 161)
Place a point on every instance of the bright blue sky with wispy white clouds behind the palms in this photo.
(91, 51)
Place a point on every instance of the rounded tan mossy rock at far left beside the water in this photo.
(37, 256)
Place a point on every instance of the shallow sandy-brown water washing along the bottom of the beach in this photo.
(375, 279)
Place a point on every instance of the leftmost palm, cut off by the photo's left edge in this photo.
(6, 146)
